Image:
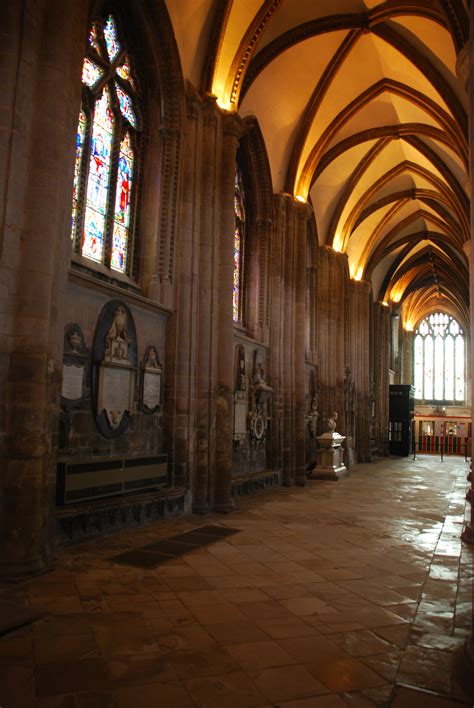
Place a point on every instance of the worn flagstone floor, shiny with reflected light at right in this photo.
(350, 593)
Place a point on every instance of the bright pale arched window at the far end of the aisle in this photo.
(439, 359)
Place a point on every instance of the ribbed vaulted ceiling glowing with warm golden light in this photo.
(363, 115)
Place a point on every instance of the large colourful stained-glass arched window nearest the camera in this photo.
(107, 147)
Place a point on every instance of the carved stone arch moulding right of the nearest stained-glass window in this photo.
(150, 33)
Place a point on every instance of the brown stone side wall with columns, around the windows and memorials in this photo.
(320, 342)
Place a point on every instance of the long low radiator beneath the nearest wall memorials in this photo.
(85, 481)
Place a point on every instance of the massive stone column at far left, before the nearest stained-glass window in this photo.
(42, 48)
